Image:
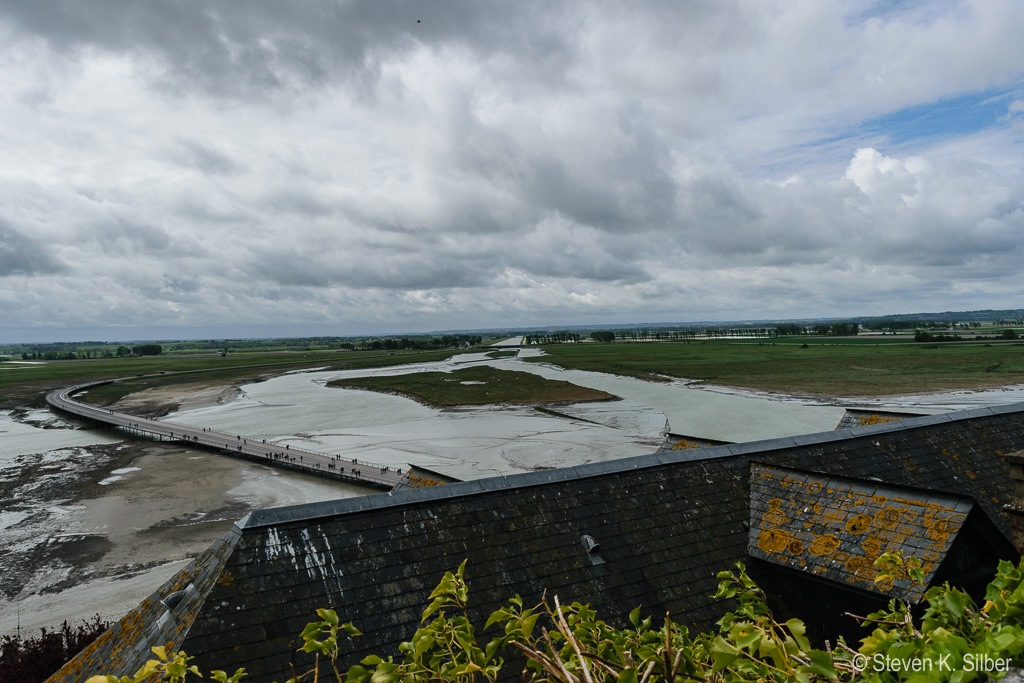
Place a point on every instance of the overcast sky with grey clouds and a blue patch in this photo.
(240, 168)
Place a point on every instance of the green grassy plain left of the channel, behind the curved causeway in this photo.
(27, 385)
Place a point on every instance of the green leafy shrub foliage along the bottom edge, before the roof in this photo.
(955, 641)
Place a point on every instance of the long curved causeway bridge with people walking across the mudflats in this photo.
(274, 455)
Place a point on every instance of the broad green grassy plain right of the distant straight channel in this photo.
(835, 368)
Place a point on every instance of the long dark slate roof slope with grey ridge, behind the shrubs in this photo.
(667, 524)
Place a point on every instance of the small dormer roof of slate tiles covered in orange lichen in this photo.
(836, 528)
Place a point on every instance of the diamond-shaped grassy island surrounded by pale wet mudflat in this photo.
(477, 387)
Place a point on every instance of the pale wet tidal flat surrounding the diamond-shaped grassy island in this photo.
(477, 442)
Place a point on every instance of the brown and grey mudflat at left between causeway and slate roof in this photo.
(93, 525)
